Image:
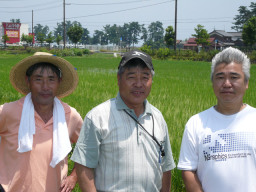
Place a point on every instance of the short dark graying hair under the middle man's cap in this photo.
(133, 63)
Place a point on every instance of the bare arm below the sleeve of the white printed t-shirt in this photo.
(191, 181)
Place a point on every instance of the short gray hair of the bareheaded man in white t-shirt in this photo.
(230, 55)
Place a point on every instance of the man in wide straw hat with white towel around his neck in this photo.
(37, 129)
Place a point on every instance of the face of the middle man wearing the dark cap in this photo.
(134, 86)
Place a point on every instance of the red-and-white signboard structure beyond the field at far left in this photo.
(14, 31)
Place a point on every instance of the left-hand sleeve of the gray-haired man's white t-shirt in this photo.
(188, 159)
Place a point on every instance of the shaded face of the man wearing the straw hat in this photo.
(43, 85)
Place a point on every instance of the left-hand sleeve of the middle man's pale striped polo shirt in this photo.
(86, 151)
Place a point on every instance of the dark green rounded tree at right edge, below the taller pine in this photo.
(249, 32)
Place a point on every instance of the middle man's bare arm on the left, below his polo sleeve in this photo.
(85, 178)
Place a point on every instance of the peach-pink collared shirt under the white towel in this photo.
(31, 171)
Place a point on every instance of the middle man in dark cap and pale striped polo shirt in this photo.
(124, 142)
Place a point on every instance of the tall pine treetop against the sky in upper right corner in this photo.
(244, 15)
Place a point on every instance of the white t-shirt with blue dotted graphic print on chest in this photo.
(221, 149)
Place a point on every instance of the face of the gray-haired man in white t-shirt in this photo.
(229, 83)
